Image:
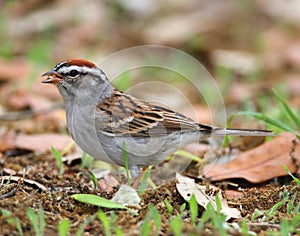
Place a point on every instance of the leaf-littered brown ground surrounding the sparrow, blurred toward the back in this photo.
(249, 49)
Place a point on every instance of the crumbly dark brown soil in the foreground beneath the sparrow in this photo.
(57, 202)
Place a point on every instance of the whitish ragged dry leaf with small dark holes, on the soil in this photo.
(187, 187)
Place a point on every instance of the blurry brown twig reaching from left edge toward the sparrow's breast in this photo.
(21, 115)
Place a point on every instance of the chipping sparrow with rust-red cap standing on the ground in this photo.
(102, 119)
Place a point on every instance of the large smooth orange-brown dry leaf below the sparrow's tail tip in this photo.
(259, 164)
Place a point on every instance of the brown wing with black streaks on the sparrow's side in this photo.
(122, 114)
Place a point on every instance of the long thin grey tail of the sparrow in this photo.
(242, 132)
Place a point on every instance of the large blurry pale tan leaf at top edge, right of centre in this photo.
(179, 28)
